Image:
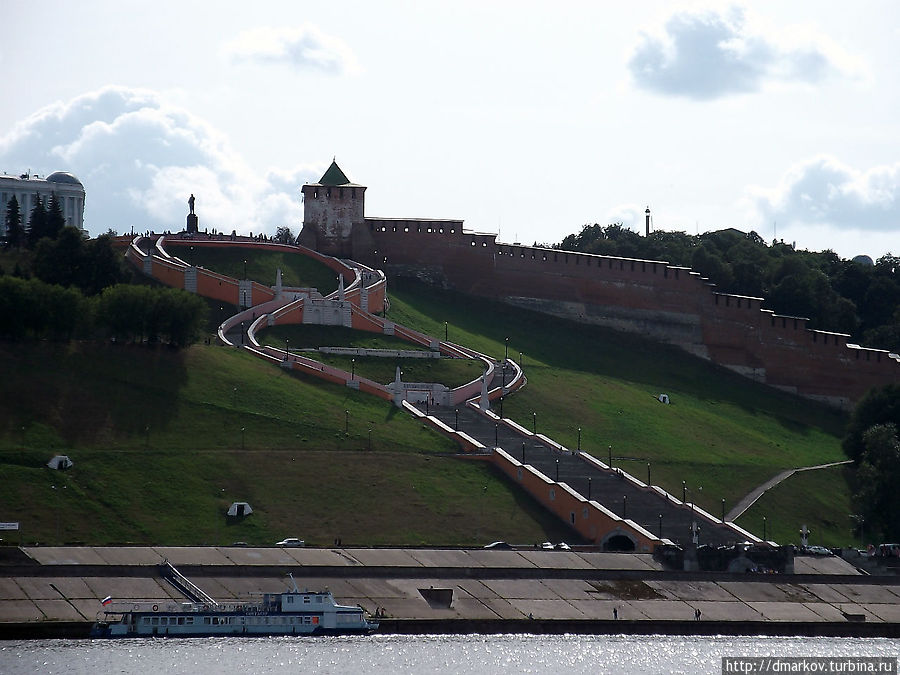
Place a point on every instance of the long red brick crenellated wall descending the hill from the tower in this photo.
(668, 303)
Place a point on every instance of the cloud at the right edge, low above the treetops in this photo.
(824, 191)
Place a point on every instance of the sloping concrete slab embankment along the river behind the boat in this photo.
(56, 592)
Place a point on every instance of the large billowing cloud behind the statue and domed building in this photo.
(140, 158)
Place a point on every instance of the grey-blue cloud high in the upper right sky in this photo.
(704, 55)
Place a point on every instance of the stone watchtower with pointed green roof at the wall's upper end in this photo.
(332, 209)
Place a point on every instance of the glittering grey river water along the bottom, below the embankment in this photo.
(444, 654)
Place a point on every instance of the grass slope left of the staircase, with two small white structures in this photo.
(163, 441)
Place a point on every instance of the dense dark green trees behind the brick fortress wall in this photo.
(835, 294)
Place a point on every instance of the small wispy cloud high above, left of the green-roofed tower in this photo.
(303, 47)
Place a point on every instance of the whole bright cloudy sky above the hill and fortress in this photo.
(525, 119)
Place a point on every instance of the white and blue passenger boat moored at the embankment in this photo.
(292, 612)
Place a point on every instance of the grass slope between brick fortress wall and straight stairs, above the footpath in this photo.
(722, 435)
